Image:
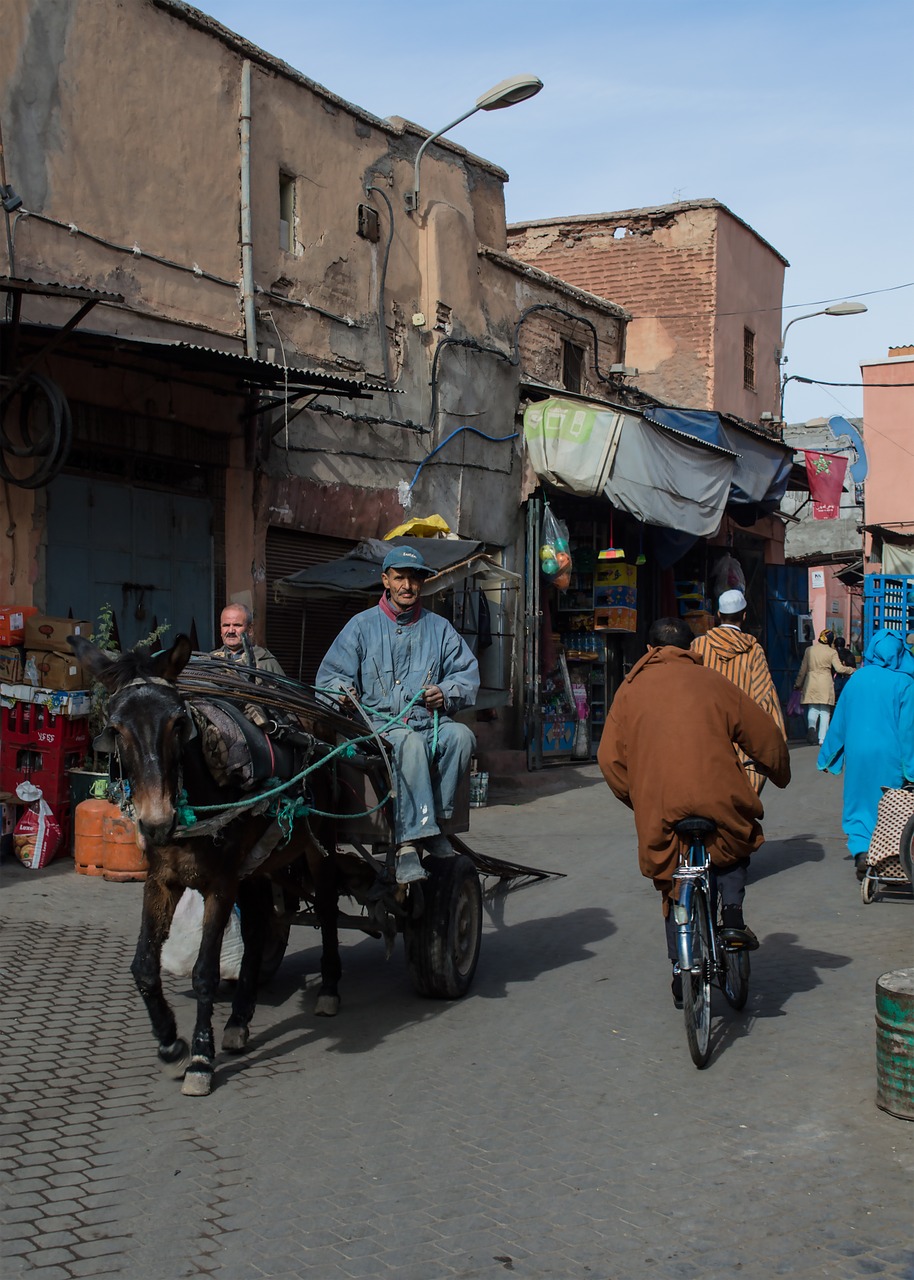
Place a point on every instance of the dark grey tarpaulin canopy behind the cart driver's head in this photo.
(359, 572)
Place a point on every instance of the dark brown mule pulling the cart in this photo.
(161, 756)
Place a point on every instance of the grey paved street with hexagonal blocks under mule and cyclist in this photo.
(550, 1126)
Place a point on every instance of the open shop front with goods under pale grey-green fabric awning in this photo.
(632, 520)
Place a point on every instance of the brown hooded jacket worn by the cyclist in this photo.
(668, 752)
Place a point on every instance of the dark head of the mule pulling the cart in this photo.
(148, 726)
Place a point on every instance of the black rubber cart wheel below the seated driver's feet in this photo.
(442, 945)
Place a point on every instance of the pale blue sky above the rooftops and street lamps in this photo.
(796, 115)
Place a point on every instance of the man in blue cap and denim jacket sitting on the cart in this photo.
(410, 671)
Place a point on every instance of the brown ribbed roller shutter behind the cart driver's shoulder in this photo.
(299, 633)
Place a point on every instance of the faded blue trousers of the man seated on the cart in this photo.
(427, 788)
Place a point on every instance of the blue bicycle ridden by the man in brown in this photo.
(705, 957)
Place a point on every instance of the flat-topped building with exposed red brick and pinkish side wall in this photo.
(705, 292)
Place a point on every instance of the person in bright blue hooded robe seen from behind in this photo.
(872, 737)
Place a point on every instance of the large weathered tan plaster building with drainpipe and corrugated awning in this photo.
(263, 356)
